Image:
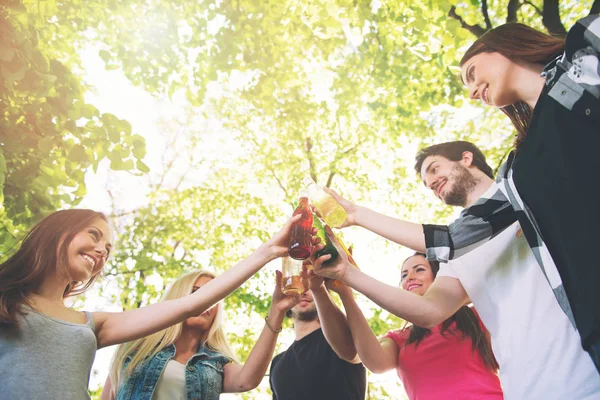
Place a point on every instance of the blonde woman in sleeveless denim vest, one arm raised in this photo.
(192, 359)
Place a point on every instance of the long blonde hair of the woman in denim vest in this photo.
(145, 348)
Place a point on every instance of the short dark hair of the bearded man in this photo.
(453, 151)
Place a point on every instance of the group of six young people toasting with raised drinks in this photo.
(521, 253)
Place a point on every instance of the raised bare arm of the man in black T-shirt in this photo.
(333, 321)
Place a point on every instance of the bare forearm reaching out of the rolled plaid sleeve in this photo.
(405, 233)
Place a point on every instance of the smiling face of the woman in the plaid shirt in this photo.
(489, 78)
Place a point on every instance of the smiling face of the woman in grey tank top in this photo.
(88, 250)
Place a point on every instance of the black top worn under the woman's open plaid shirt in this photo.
(557, 175)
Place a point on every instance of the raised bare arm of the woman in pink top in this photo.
(377, 355)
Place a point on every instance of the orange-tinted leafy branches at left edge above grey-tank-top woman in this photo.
(49, 135)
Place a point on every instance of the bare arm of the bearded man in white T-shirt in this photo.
(445, 296)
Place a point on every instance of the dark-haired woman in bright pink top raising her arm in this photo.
(454, 360)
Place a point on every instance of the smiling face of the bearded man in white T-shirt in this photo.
(450, 181)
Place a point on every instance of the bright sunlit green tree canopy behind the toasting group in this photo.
(343, 91)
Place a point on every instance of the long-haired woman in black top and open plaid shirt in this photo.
(550, 89)
